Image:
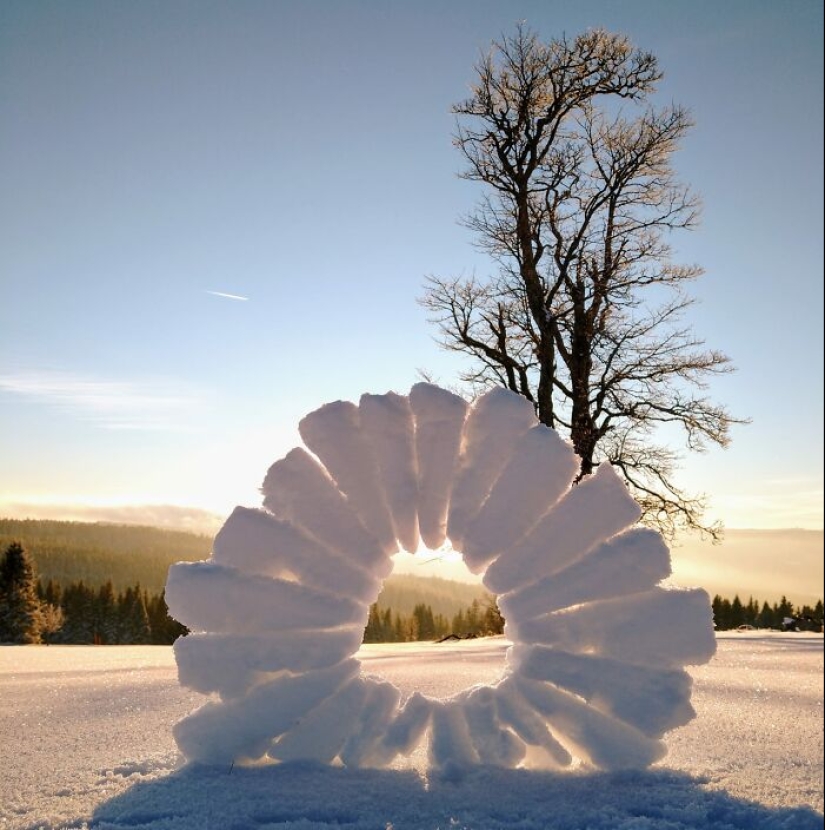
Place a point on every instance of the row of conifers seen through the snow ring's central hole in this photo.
(477, 620)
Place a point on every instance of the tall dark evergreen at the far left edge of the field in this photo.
(21, 618)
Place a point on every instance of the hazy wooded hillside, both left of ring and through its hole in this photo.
(68, 552)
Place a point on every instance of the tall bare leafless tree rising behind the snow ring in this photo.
(585, 315)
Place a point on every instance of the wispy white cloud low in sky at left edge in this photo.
(111, 404)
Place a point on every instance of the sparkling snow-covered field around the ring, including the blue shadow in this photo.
(86, 741)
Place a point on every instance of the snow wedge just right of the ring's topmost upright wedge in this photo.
(495, 422)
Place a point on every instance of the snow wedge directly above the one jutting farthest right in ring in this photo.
(629, 563)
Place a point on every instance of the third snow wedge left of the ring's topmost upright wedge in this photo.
(298, 489)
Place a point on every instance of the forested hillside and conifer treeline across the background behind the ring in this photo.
(105, 583)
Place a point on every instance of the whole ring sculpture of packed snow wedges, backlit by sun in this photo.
(596, 669)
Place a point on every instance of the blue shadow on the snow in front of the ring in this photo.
(310, 797)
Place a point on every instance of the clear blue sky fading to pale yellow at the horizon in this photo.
(215, 217)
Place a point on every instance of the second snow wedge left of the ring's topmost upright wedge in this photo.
(333, 433)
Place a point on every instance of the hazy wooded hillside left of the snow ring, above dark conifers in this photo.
(95, 553)
